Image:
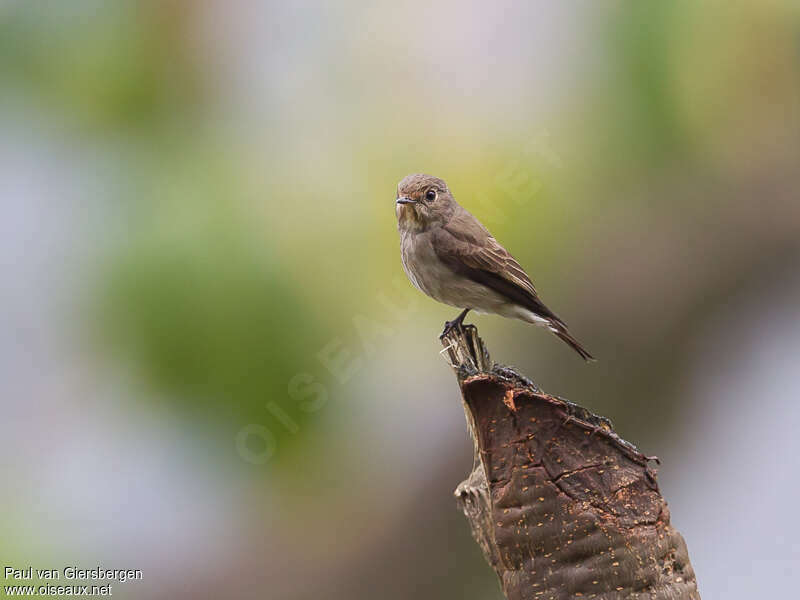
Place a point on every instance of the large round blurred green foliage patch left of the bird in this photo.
(195, 298)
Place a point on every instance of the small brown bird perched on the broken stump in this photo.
(449, 255)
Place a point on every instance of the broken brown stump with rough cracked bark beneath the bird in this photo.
(561, 506)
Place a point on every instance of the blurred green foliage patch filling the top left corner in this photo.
(104, 66)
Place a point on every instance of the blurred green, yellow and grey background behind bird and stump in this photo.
(213, 367)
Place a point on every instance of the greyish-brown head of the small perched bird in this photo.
(423, 201)
